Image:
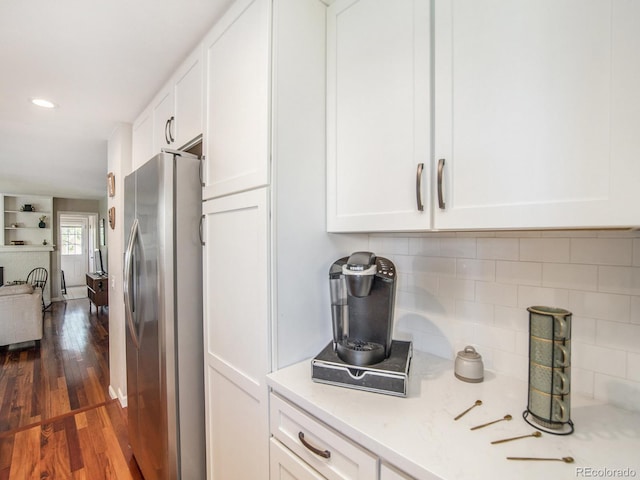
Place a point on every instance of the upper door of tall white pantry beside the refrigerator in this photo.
(237, 89)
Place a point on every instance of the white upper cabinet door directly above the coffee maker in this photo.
(378, 115)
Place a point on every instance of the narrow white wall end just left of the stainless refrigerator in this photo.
(118, 162)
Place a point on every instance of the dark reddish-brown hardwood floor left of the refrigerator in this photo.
(57, 420)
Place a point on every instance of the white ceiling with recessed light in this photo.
(101, 61)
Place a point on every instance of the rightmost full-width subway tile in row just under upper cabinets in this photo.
(601, 251)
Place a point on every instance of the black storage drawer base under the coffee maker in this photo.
(390, 376)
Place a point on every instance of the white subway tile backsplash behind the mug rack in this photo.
(474, 288)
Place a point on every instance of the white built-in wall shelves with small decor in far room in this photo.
(20, 222)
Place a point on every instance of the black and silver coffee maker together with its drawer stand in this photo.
(362, 354)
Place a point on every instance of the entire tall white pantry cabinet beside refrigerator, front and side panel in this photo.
(266, 252)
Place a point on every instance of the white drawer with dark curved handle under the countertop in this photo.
(335, 457)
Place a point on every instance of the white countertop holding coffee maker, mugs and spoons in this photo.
(419, 435)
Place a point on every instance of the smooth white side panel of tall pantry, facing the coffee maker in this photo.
(303, 250)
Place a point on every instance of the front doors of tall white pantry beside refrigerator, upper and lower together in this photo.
(236, 242)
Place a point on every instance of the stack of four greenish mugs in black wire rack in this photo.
(549, 396)
